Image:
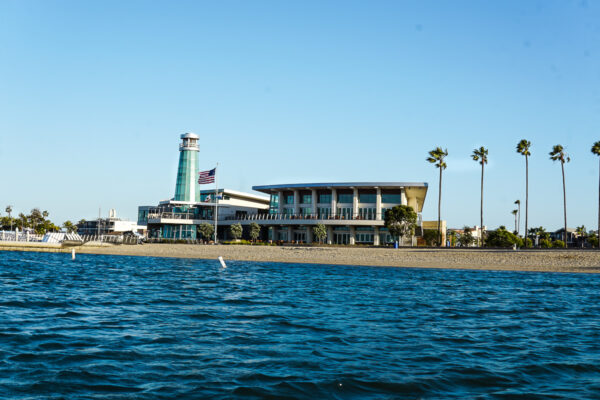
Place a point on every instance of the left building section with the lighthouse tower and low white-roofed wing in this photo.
(181, 216)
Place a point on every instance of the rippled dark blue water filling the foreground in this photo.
(107, 327)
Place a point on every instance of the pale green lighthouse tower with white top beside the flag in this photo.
(187, 172)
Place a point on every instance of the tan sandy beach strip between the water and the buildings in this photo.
(538, 260)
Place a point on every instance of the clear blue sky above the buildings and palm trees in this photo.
(94, 96)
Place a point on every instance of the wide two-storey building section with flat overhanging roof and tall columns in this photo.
(352, 212)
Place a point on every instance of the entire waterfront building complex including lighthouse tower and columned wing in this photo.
(353, 213)
